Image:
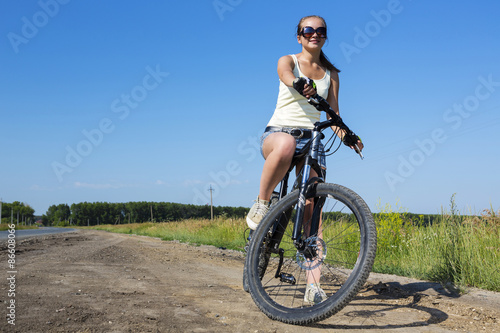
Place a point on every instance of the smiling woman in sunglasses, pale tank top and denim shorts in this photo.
(290, 126)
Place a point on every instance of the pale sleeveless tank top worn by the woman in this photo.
(292, 109)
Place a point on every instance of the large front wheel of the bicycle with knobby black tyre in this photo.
(338, 257)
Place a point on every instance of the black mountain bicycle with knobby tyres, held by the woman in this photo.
(319, 231)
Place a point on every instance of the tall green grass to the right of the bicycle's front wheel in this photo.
(461, 250)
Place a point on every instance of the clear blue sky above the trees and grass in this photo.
(123, 101)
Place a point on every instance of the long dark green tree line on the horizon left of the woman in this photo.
(94, 213)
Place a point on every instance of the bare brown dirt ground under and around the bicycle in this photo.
(94, 281)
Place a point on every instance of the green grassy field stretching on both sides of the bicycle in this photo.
(462, 250)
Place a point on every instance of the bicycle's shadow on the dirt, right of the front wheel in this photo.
(391, 306)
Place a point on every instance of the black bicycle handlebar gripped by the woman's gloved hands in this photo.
(350, 139)
